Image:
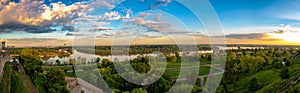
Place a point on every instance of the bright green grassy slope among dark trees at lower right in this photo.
(264, 78)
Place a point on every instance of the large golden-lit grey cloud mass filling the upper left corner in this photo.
(36, 17)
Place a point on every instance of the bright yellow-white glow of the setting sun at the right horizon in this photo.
(287, 36)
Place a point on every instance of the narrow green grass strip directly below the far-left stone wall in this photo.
(5, 79)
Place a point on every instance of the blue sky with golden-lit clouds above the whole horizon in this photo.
(58, 22)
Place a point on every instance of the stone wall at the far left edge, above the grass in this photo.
(4, 57)
